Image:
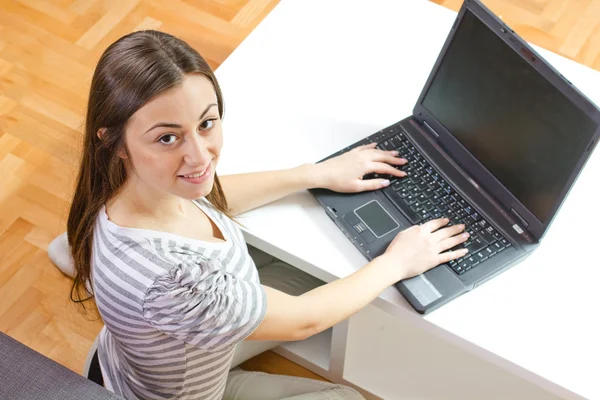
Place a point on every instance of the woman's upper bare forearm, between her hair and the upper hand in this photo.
(245, 192)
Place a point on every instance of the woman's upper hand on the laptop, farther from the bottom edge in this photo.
(344, 173)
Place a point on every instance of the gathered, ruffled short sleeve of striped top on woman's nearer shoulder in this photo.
(200, 304)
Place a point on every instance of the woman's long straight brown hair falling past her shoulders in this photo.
(130, 72)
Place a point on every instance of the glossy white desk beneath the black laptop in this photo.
(318, 75)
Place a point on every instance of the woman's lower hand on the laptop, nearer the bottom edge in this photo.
(422, 247)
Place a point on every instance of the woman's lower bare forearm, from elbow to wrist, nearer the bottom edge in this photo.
(330, 304)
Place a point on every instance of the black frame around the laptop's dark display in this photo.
(466, 160)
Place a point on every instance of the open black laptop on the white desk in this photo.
(496, 140)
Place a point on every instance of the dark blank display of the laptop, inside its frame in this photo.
(516, 123)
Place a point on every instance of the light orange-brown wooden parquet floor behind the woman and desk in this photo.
(48, 49)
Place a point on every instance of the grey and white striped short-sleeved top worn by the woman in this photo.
(173, 308)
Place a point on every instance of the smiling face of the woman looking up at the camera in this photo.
(174, 140)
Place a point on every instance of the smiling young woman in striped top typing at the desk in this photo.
(151, 237)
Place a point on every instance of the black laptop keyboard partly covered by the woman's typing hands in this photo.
(424, 195)
